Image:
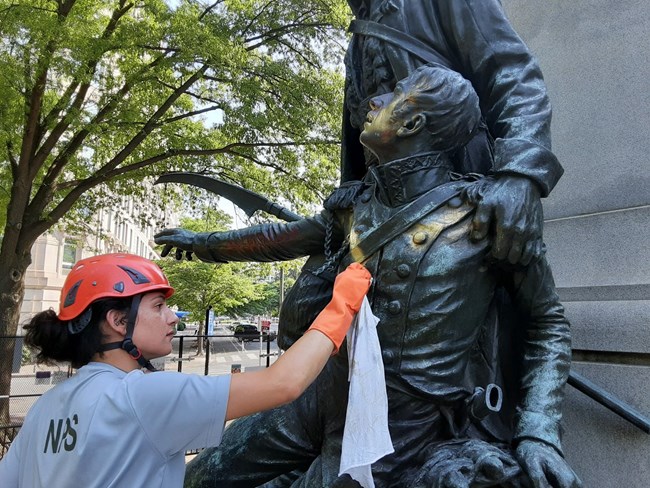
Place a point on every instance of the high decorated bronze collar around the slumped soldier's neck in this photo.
(403, 180)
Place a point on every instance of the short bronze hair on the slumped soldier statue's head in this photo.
(447, 100)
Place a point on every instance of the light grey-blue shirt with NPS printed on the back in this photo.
(106, 428)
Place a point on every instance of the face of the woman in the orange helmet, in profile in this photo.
(155, 326)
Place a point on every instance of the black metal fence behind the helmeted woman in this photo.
(222, 353)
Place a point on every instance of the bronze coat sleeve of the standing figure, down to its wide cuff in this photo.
(510, 86)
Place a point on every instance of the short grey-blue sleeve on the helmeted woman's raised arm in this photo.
(179, 412)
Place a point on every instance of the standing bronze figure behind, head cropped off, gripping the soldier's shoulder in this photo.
(393, 37)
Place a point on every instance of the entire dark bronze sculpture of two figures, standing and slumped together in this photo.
(441, 438)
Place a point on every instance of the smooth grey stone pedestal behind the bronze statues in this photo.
(595, 56)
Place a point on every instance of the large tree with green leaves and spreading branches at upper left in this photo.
(97, 95)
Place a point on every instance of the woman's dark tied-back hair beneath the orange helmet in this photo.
(55, 343)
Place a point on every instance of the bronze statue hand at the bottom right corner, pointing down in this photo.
(545, 467)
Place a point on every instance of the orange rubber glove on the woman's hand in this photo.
(350, 287)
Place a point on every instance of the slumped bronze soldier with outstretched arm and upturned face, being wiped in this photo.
(434, 292)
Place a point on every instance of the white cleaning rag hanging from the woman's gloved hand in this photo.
(365, 437)
